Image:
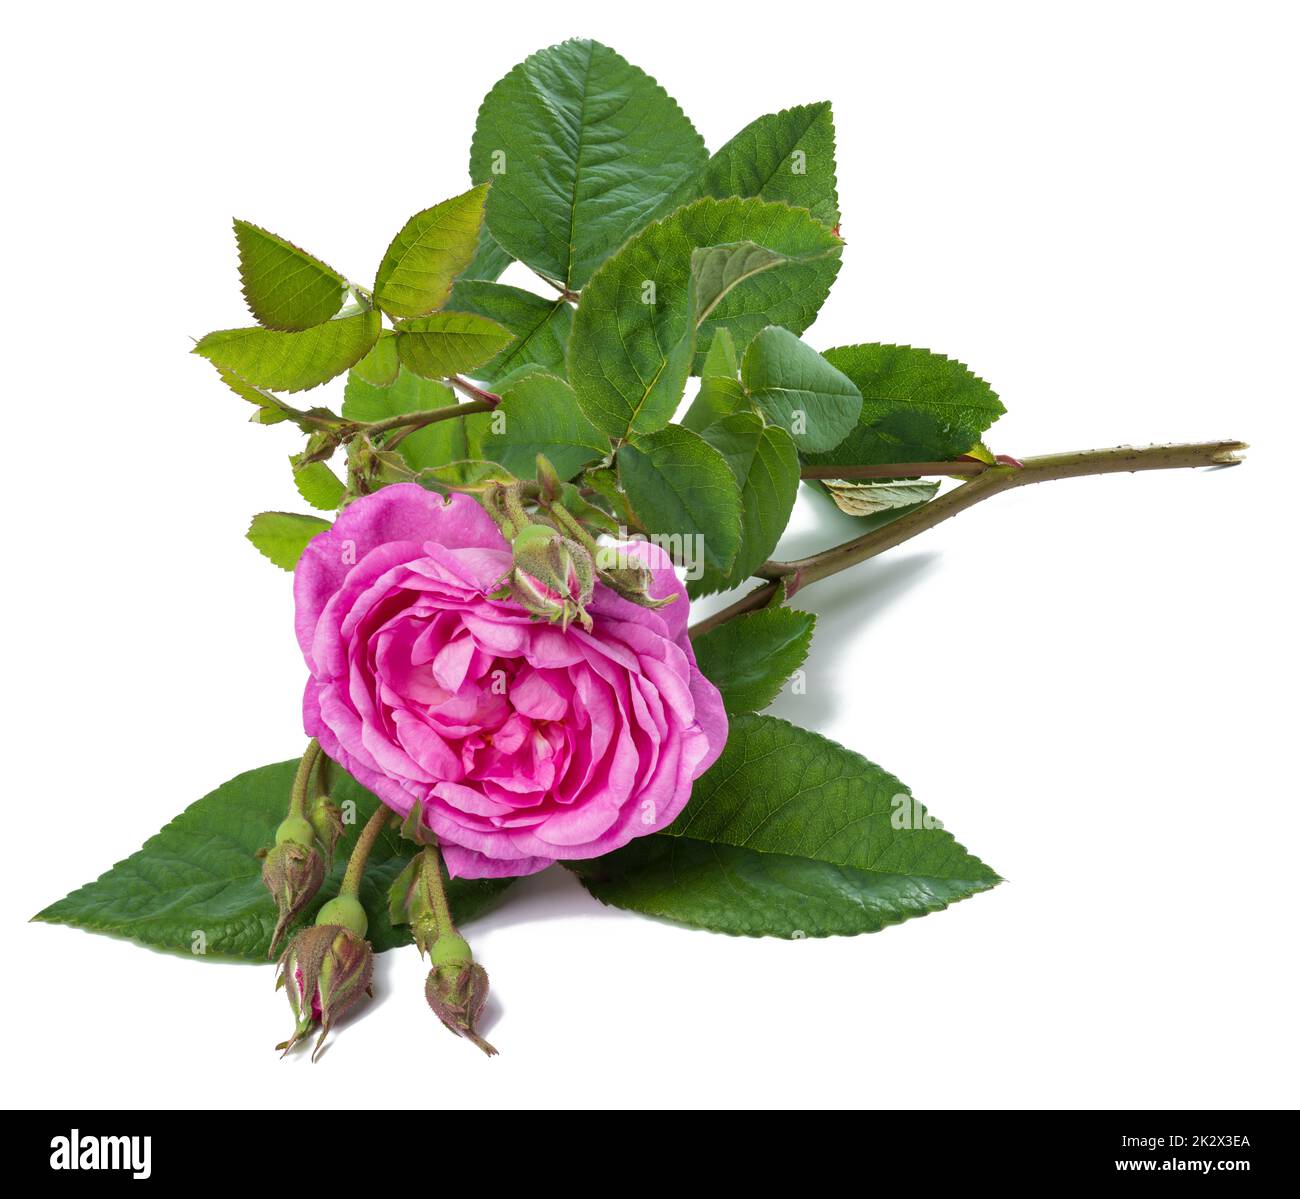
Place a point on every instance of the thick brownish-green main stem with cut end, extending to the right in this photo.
(990, 481)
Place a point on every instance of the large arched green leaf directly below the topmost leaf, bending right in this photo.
(631, 349)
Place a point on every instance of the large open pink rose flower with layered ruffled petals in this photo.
(526, 744)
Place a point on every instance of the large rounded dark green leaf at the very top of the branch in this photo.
(580, 149)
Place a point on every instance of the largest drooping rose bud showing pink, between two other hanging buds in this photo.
(327, 969)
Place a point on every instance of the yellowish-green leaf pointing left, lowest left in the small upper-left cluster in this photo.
(293, 362)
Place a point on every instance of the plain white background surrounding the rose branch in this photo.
(1093, 683)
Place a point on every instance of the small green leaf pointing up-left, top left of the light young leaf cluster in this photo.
(285, 287)
